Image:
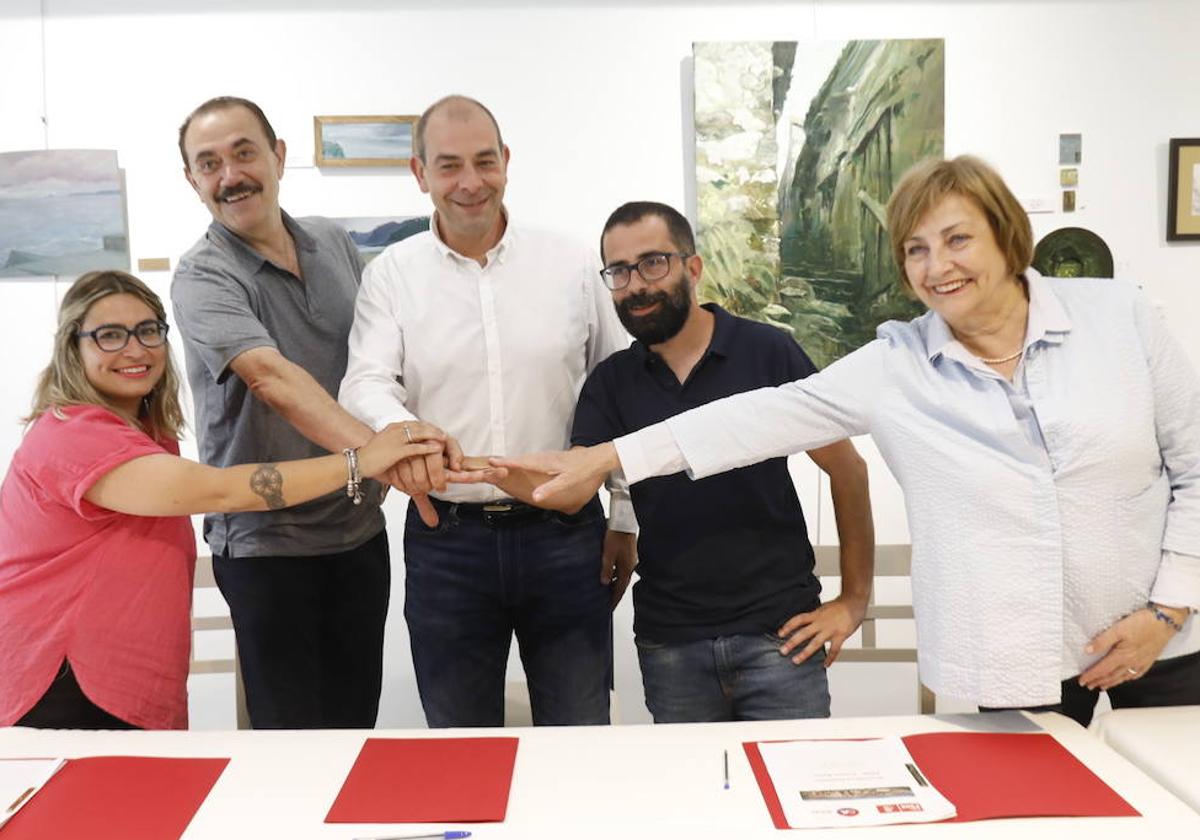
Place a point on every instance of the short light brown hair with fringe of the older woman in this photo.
(928, 183)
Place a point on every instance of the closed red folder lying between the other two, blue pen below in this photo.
(428, 781)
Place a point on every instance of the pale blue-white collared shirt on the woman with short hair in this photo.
(1041, 511)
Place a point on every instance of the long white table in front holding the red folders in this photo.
(641, 783)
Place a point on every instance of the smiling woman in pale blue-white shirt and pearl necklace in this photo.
(1047, 437)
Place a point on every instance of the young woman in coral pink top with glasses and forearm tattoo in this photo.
(97, 550)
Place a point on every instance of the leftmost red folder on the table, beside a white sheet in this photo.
(117, 799)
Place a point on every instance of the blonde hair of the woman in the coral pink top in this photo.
(64, 381)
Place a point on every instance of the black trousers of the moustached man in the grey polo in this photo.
(310, 635)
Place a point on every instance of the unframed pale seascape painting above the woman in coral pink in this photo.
(62, 214)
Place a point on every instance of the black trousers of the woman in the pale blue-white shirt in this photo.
(1169, 682)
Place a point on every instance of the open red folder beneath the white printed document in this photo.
(993, 775)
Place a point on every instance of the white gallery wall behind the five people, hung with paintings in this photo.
(593, 101)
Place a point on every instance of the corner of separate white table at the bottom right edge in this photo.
(1163, 742)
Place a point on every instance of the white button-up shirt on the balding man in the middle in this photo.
(494, 355)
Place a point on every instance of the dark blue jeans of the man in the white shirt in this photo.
(471, 585)
